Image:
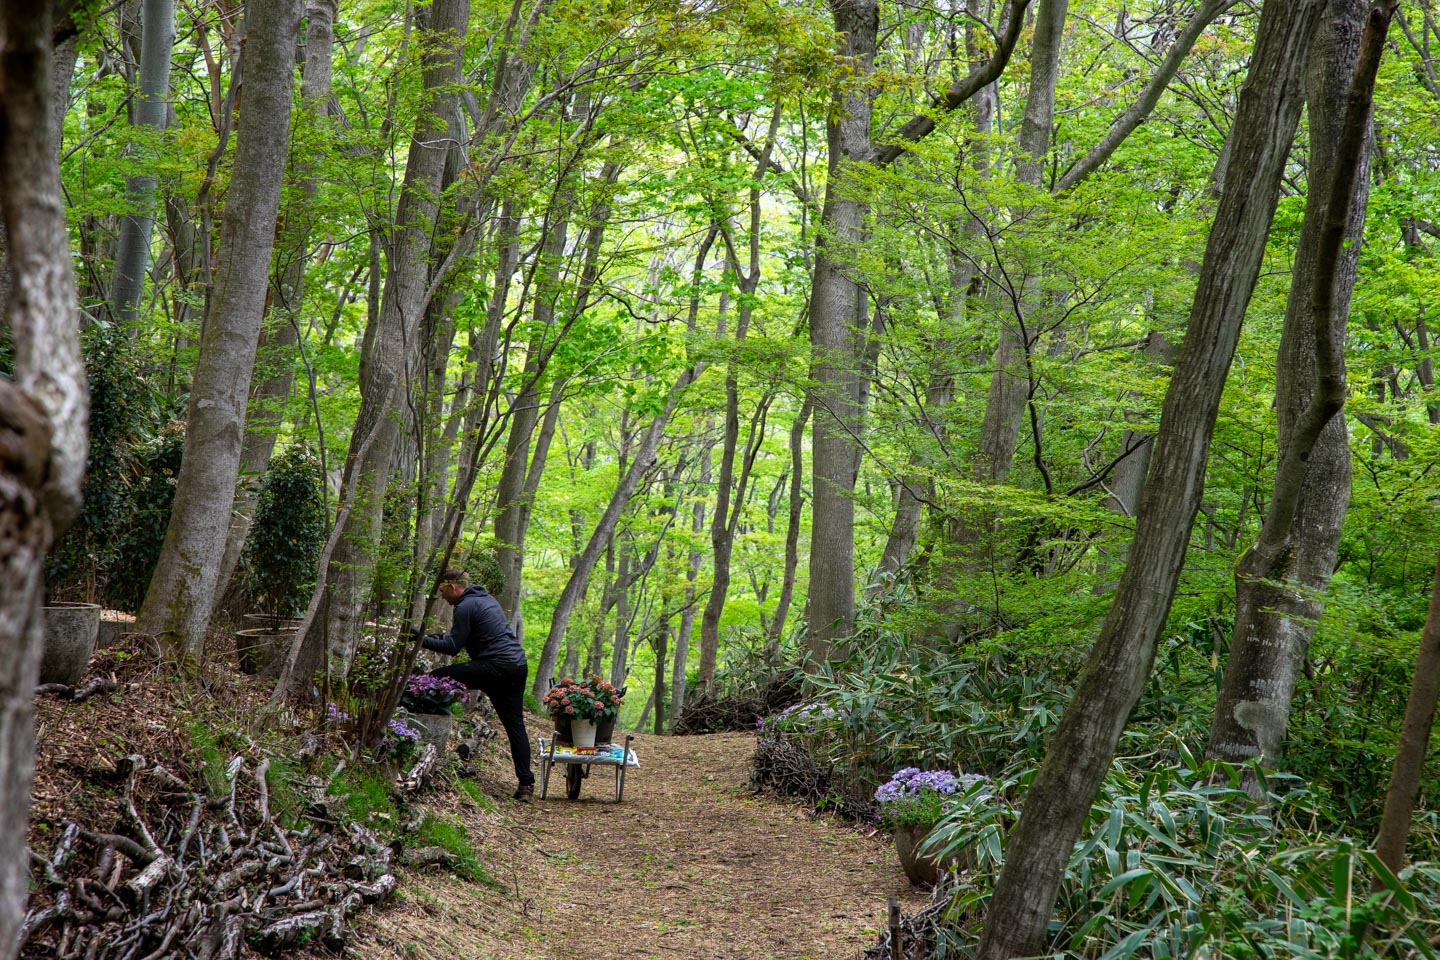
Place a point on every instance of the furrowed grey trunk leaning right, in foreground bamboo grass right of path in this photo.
(1082, 748)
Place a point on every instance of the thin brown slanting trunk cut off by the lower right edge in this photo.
(1415, 741)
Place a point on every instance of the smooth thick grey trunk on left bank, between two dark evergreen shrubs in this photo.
(182, 591)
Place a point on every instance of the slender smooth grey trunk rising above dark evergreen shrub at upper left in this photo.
(133, 254)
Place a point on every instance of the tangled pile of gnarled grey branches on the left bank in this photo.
(199, 877)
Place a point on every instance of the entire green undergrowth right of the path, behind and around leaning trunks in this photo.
(1176, 860)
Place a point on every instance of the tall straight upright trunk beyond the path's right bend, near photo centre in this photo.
(837, 313)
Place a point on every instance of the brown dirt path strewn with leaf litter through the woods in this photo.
(690, 866)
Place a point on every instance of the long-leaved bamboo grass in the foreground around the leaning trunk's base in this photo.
(1179, 866)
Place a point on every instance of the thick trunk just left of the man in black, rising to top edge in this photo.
(390, 342)
